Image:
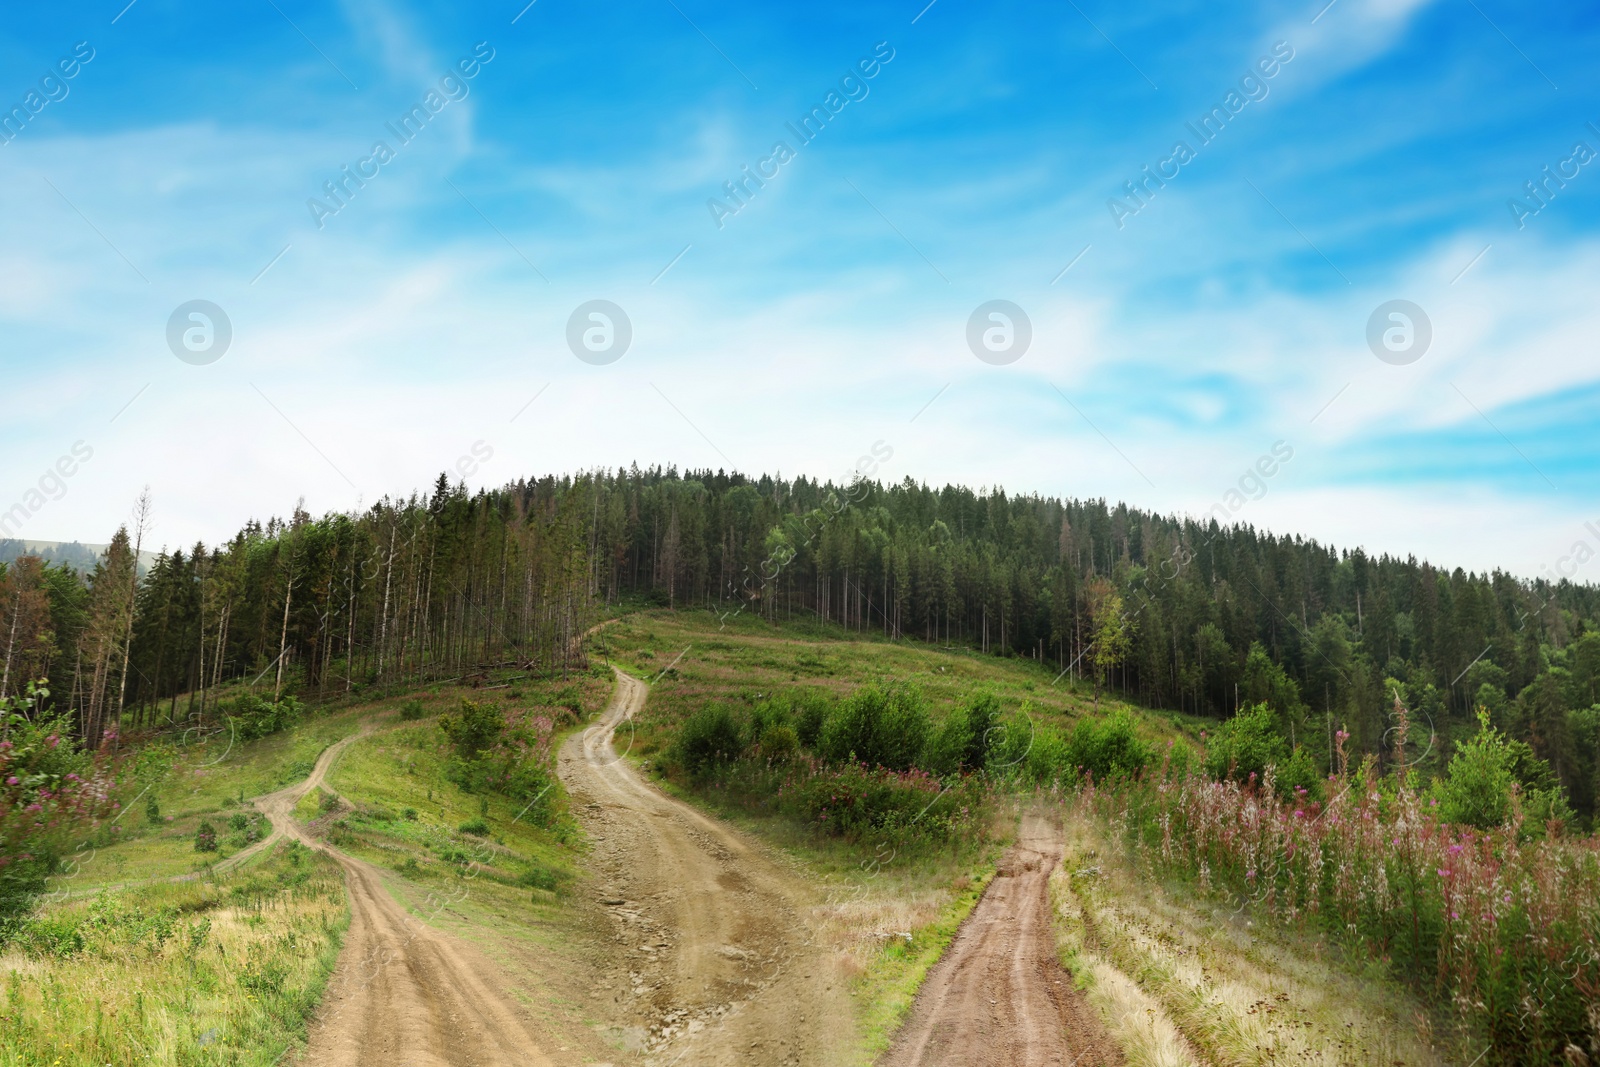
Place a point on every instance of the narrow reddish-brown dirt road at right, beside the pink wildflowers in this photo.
(999, 996)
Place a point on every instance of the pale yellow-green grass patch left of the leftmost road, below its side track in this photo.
(218, 972)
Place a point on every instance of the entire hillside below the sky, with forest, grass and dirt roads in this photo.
(938, 708)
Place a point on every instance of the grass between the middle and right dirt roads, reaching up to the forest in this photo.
(887, 917)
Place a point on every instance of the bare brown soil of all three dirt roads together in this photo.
(705, 953)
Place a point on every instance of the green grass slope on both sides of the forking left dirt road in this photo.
(142, 953)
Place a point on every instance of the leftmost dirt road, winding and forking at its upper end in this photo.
(404, 994)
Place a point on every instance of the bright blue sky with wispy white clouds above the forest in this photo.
(279, 250)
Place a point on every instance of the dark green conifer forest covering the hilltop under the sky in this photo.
(1162, 610)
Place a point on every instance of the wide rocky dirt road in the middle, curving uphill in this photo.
(714, 959)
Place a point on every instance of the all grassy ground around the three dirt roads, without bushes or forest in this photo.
(196, 961)
